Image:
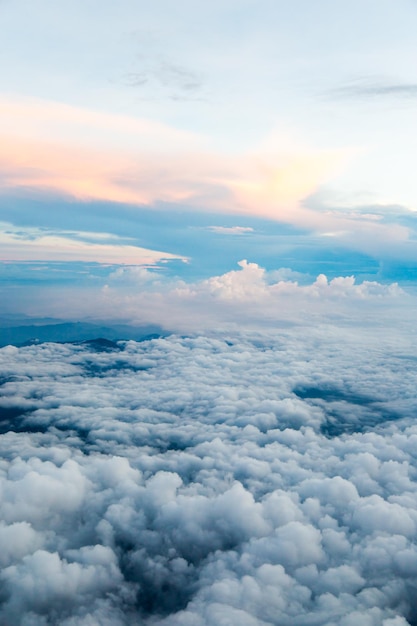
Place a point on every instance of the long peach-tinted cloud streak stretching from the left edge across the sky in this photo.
(108, 157)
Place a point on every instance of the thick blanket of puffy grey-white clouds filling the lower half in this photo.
(253, 478)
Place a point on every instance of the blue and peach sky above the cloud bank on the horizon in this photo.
(183, 138)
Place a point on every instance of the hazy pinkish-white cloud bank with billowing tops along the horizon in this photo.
(247, 296)
